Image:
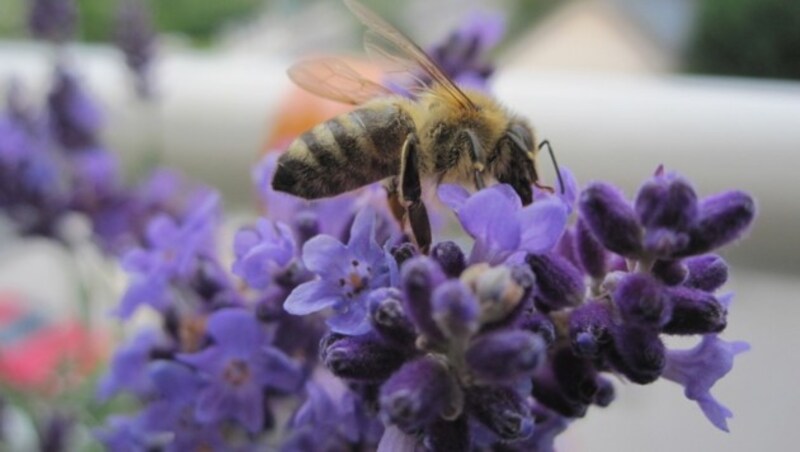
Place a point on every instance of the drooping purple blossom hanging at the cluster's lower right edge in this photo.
(697, 369)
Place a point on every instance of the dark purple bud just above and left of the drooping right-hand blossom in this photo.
(638, 354)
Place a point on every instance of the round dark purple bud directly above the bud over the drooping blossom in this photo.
(642, 300)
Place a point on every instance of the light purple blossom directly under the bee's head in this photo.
(501, 227)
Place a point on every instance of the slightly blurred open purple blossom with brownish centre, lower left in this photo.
(237, 368)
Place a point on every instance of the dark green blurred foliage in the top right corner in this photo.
(747, 37)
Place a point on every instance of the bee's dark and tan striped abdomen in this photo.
(345, 153)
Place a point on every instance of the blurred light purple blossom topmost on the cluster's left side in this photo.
(172, 255)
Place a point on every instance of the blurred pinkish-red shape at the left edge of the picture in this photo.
(37, 353)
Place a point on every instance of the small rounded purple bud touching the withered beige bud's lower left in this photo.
(455, 309)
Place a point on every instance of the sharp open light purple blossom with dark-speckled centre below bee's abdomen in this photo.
(347, 273)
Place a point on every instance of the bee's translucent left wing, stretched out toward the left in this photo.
(334, 79)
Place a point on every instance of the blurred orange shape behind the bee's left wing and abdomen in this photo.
(300, 110)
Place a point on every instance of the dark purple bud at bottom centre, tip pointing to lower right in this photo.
(502, 410)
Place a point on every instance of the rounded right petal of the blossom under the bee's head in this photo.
(542, 224)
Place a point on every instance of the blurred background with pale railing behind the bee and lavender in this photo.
(710, 88)
